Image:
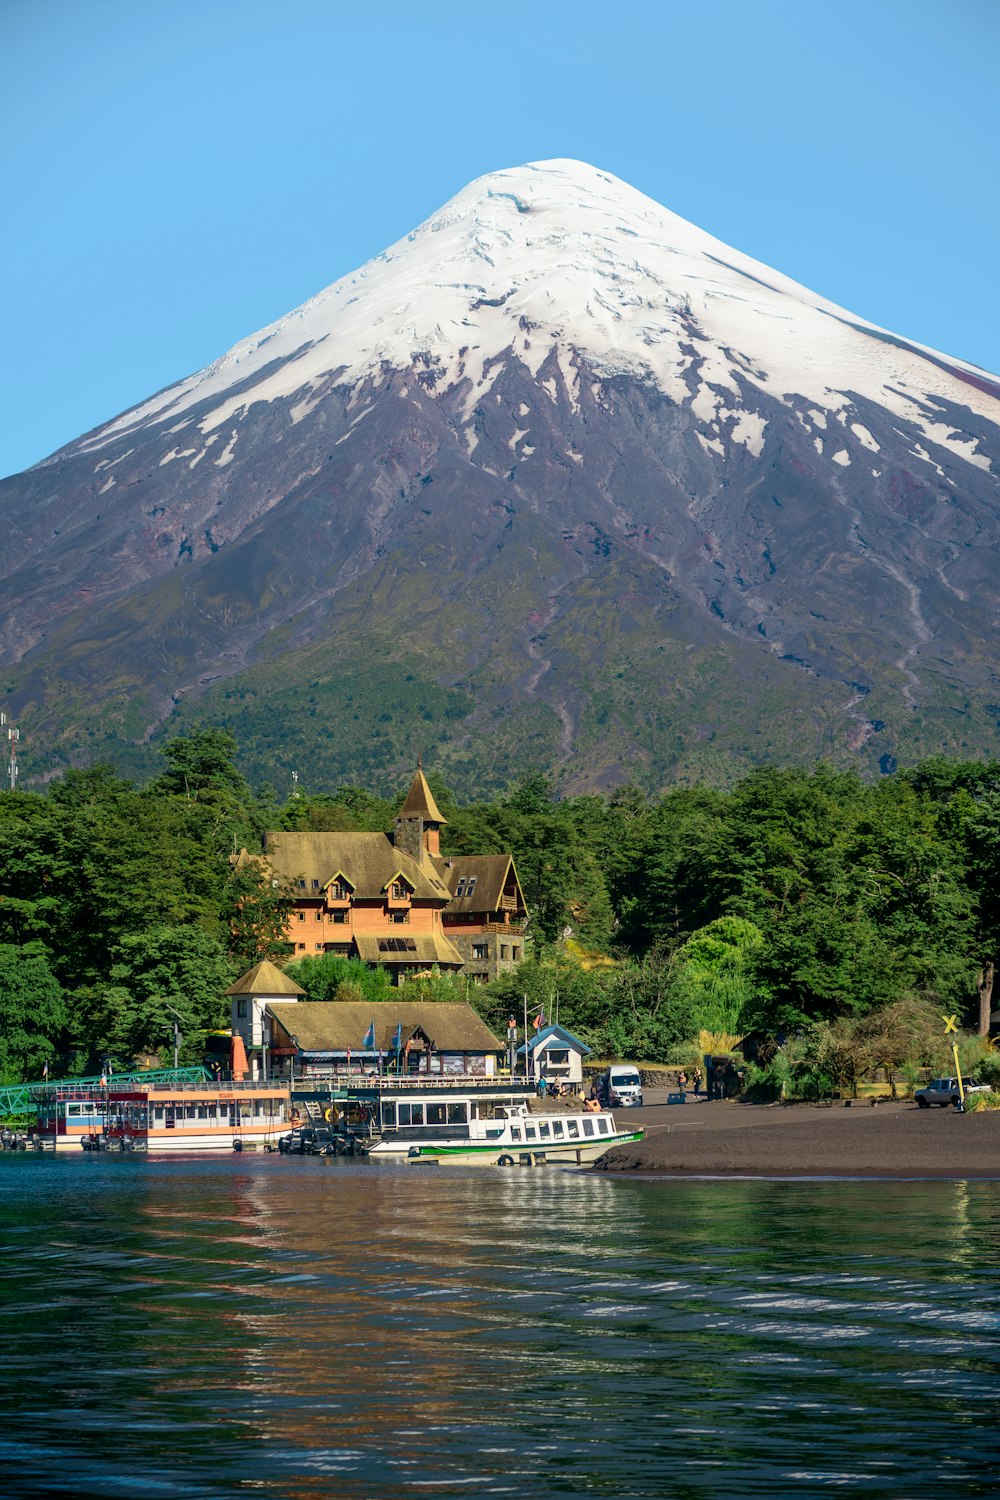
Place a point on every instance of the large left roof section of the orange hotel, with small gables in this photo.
(370, 862)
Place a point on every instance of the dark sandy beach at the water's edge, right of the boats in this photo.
(893, 1141)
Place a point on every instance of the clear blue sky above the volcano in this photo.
(179, 173)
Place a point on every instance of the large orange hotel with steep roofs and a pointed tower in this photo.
(398, 902)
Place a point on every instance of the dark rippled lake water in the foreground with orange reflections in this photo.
(307, 1328)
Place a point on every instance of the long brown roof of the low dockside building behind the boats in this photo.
(338, 1025)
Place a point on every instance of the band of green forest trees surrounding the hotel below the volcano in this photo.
(807, 905)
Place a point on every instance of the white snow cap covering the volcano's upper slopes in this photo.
(563, 256)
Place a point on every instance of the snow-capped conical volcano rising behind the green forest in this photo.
(557, 481)
